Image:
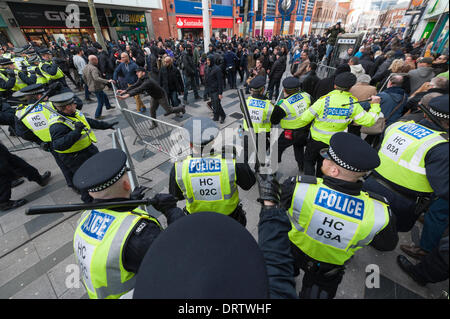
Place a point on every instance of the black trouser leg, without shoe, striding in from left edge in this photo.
(11, 168)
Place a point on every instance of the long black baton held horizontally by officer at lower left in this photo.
(51, 209)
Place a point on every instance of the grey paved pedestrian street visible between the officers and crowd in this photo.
(36, 252)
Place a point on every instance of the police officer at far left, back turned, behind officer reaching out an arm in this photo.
(35, 126)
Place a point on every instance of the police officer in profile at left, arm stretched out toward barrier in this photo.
(71, 134)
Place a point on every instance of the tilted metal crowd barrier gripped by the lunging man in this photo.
(165, 137)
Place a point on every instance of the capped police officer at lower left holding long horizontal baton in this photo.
(109, 244)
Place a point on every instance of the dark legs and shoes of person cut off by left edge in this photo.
(12, 167)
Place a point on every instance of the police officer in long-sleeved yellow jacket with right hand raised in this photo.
(332, 113)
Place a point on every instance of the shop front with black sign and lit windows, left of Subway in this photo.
(45, 23)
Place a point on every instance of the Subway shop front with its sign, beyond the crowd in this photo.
(129, 25)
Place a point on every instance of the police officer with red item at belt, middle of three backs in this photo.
(287, 113)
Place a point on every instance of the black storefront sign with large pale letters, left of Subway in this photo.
(38, 15)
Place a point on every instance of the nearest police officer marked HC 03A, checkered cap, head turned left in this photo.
(333, 217)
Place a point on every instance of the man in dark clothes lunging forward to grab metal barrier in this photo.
(158, 96)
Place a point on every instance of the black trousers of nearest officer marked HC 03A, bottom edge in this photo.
(321, 280)
